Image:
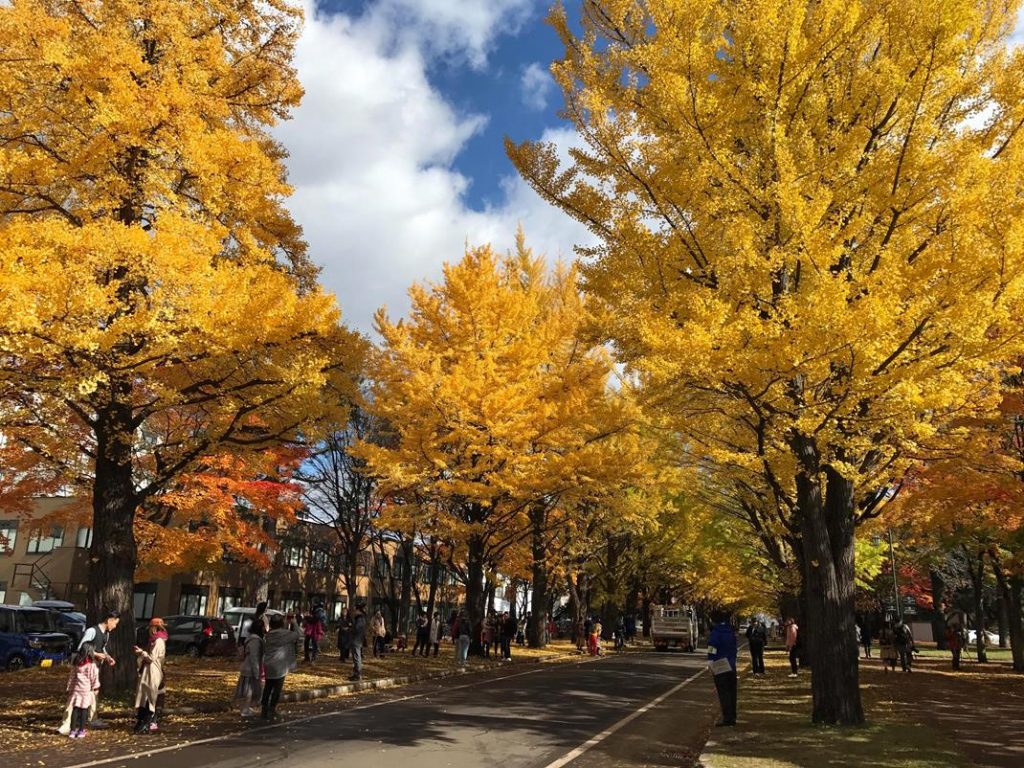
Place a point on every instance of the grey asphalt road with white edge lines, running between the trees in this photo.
(636, 710)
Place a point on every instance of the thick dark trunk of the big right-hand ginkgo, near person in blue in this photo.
(828, 535)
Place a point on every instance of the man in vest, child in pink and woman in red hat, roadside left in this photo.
(83, 681)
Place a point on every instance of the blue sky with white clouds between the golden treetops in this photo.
(397, 155)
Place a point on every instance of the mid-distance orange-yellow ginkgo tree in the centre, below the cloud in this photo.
(496, 407)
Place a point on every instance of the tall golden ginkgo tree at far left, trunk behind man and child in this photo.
(157, 307)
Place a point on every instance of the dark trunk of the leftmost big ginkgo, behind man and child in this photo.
(113, 554)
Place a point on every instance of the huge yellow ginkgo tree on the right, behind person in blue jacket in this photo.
(810, 252)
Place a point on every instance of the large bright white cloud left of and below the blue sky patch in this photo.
(372, 151)
